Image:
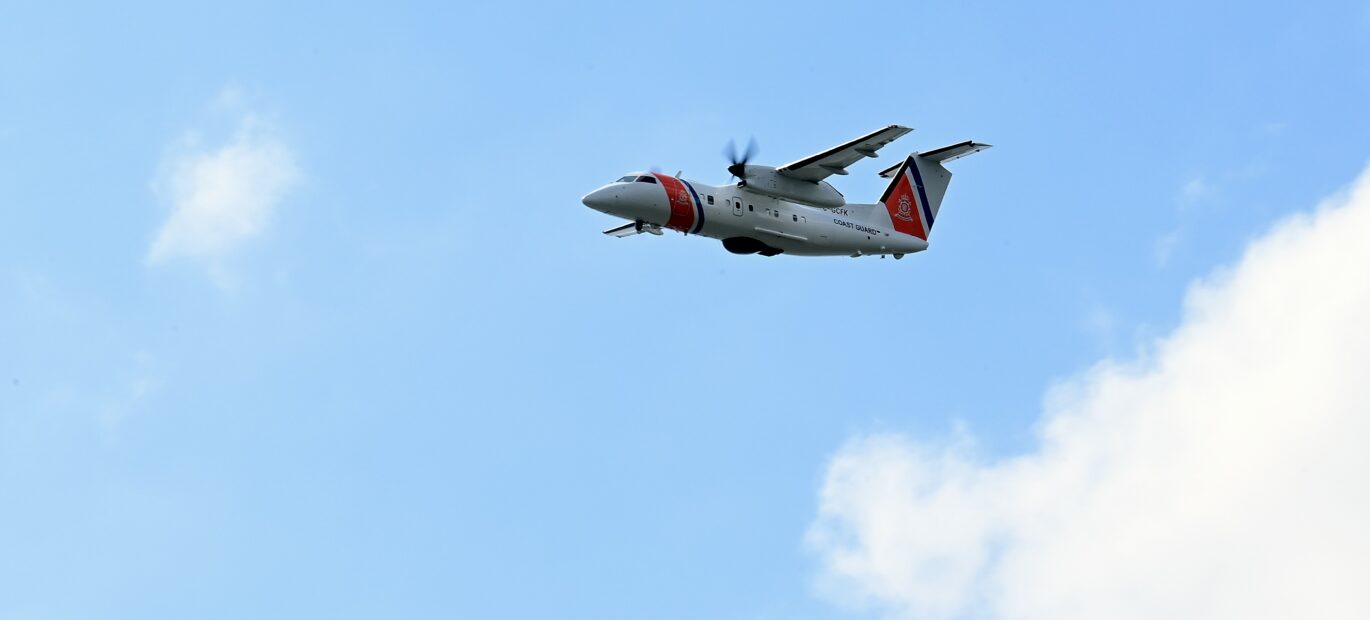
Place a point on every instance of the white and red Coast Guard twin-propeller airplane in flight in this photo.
(793, 210)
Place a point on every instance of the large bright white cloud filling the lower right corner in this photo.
(1225, 476)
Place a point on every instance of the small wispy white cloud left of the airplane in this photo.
(224, 198)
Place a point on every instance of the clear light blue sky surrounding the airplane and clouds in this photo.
(428, 387)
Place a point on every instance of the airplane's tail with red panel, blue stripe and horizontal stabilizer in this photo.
(919, 185)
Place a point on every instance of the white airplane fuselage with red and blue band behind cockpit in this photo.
(751, 222)
